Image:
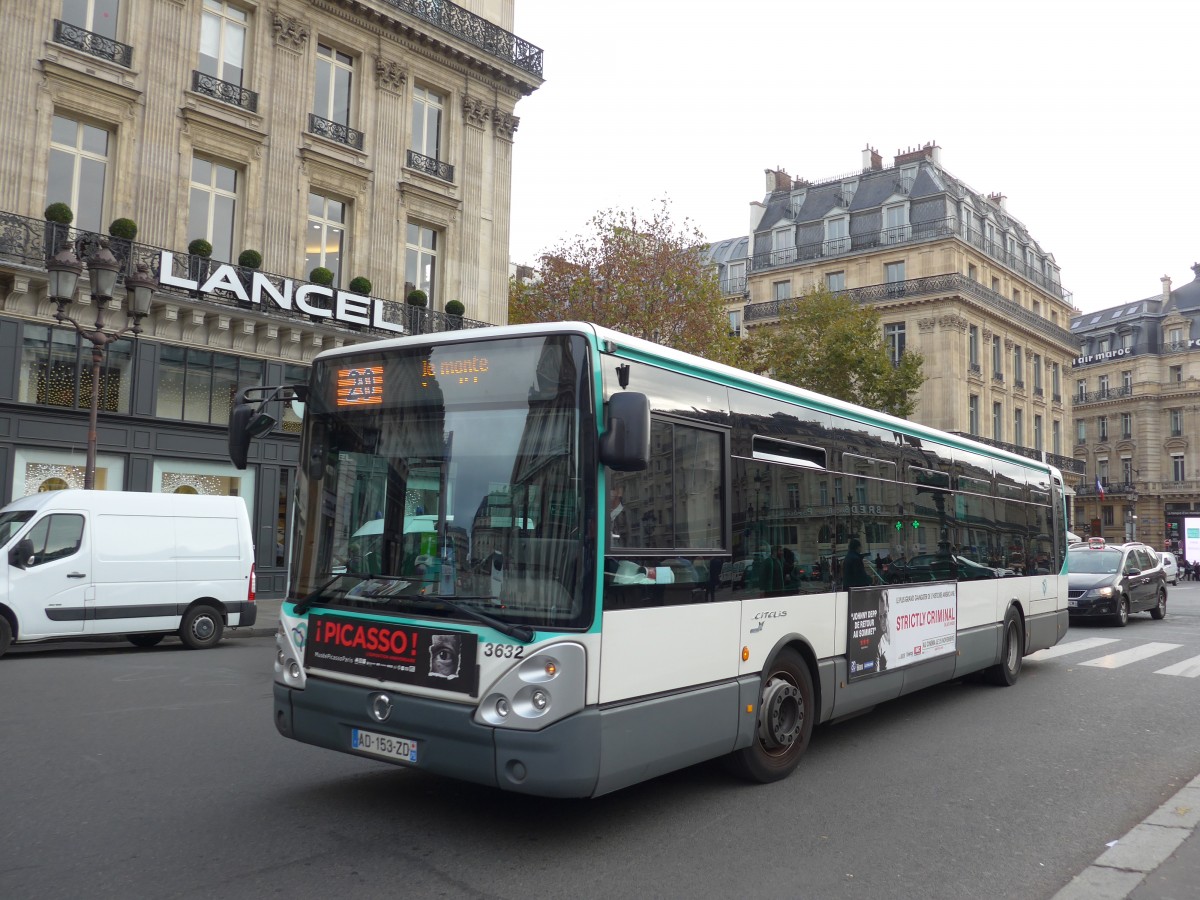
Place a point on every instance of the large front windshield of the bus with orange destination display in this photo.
(446, 481)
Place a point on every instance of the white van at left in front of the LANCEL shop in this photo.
(87, 563)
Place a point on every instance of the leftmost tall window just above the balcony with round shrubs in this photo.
(79, 171)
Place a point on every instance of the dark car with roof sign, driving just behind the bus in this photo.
(1109, 581)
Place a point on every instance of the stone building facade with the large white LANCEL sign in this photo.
(371, 140)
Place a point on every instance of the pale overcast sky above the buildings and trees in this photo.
(1085, 116)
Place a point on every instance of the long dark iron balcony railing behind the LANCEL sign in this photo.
(29, 243)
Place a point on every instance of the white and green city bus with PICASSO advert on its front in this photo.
(599, 560)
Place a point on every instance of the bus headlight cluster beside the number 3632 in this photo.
(539, 691)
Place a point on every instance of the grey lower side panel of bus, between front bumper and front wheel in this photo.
(643, 741)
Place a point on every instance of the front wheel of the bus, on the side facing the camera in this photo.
(787, 716)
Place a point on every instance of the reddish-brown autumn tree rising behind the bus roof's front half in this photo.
(641, 275)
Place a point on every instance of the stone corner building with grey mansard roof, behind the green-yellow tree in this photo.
(953, 275)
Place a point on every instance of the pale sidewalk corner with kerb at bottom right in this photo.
(1160, 860)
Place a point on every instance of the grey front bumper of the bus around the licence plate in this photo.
(562, 760)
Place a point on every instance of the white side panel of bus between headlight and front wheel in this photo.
(668, 649)
